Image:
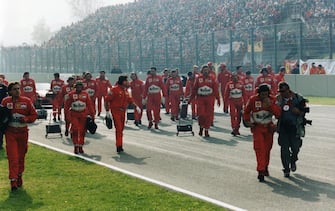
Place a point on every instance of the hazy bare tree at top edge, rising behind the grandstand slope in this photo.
(82, 8)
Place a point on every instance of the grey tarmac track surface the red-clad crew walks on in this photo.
(221, 168)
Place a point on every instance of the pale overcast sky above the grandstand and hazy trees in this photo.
(18, 17)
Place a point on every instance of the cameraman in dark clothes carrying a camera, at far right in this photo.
(290, 126)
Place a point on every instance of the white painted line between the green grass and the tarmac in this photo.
(172, 187)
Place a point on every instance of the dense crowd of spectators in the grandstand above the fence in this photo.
(149, 19)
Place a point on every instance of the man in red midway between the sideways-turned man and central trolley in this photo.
(153, 90)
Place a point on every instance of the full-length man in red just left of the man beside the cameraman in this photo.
(234, 93)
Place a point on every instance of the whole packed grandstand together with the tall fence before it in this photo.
(180, 33)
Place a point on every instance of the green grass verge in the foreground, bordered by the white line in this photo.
(53, 181)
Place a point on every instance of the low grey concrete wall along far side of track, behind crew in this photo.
(309, 85)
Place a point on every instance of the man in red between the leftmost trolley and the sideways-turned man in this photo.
(77, 107)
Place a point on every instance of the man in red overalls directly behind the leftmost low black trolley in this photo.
(56, 86)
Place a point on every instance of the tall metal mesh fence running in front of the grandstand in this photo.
(248, 47)
